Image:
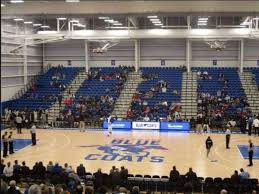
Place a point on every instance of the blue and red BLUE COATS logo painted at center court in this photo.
(127, 150)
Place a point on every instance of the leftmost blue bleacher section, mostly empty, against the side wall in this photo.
(35, 99)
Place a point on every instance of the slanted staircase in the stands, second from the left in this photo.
(124, 101)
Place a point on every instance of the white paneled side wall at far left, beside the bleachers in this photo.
(12, 66)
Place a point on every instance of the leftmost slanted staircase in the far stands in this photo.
(54, 111)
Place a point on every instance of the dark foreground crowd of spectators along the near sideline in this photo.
(54, 178)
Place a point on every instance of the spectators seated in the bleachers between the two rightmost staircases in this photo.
(220, 109)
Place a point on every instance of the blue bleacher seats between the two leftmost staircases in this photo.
(95, 88)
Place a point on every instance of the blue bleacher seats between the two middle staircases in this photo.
(173, 77)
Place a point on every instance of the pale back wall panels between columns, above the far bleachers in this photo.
(173, 51)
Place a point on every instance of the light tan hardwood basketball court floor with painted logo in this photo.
(182, 149)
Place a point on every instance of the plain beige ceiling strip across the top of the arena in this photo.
(86, 7)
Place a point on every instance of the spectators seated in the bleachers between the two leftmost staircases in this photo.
(93, 108)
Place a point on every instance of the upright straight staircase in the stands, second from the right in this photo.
(189, 95)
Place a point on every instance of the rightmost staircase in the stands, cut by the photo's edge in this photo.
(251, 91)
